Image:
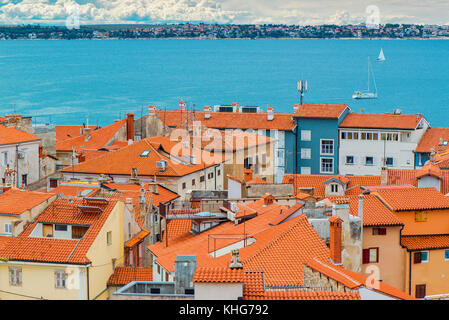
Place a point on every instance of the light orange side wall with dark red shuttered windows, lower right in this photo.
(391, 256)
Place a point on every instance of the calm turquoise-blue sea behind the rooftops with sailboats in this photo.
(64, 81)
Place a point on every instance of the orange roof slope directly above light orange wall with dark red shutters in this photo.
(375, 213)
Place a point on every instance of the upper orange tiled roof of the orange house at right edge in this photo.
(413, 199)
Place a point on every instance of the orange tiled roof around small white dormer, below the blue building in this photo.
(316, 181)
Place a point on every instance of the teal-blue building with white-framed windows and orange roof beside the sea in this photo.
(316, 138)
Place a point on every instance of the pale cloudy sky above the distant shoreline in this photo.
(302, 12)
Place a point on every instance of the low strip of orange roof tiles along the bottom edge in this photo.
(304, 295)
